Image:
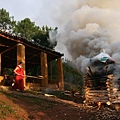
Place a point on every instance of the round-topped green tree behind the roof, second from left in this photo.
(26, 29)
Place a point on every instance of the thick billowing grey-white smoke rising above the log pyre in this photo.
(89, 26)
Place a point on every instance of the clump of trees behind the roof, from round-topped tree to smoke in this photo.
(28, 30)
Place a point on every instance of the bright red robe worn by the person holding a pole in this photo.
(19, 81)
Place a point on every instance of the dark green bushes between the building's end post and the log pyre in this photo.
(73, 79)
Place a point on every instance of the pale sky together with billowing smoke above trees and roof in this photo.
(85, 27)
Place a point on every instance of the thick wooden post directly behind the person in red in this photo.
(21, 57)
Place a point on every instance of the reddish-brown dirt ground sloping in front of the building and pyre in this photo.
(28, 106)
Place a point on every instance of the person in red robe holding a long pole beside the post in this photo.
(19, 79)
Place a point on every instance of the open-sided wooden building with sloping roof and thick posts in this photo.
(14, 49)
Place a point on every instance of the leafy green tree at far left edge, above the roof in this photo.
(7, 22)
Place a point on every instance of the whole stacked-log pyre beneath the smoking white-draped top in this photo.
(103, 87)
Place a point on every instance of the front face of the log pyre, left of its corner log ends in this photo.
(96, 90)
